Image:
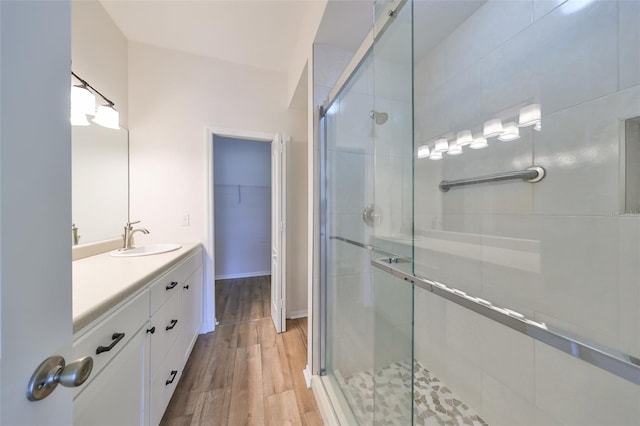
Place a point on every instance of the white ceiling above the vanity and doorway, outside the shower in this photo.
(259, 33)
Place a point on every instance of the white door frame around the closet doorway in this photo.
(210, 267)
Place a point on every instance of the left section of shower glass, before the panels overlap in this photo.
(349, 292)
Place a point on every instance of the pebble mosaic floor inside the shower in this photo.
(434, 402)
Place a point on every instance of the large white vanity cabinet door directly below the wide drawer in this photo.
(116, 396)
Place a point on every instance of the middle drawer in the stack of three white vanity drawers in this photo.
(168, 323)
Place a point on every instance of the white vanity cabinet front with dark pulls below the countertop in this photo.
(144, 344)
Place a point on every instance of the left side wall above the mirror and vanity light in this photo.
(99, 53)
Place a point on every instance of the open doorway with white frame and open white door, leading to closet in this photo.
(247, 200)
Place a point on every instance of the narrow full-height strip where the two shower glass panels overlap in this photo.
(393, 229)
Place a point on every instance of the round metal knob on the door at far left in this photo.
(54, 371)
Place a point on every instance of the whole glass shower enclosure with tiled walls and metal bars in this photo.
(481, 228)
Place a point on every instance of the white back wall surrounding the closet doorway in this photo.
(174, 97)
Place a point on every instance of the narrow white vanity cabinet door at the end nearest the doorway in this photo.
(191, 311)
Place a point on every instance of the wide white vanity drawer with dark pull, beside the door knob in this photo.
(106, 337)
